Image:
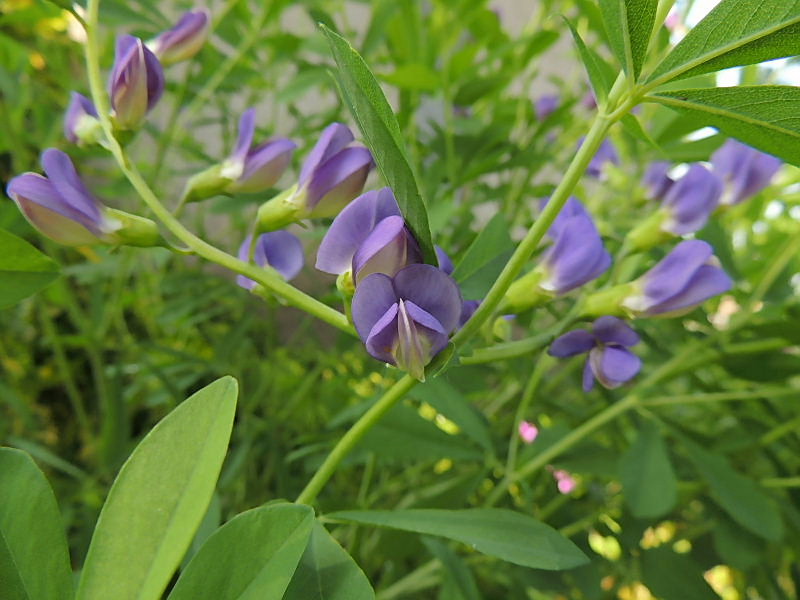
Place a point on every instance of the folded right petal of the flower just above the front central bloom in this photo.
(387, 249)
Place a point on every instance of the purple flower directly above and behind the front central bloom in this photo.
(368, 236)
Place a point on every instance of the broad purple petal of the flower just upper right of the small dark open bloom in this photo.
(672, 274)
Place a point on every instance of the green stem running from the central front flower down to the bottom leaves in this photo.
(350, 439)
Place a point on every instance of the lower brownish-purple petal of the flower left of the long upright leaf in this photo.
(338, 180)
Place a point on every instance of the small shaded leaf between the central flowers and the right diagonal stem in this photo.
(484, 259)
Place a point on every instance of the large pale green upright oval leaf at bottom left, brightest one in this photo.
(159, 498)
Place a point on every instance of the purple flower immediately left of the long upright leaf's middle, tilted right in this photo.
(334, 172)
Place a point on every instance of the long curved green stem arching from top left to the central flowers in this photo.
(269, 280)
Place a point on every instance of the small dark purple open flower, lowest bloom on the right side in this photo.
(609, 361)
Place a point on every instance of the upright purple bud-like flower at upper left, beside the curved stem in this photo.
(137, 82)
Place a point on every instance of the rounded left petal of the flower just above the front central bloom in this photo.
(351, 227)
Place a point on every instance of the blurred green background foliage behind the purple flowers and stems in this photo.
(89, 365)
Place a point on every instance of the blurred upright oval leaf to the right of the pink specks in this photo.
(648, 481)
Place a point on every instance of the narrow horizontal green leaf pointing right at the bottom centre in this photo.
(501, 533)
